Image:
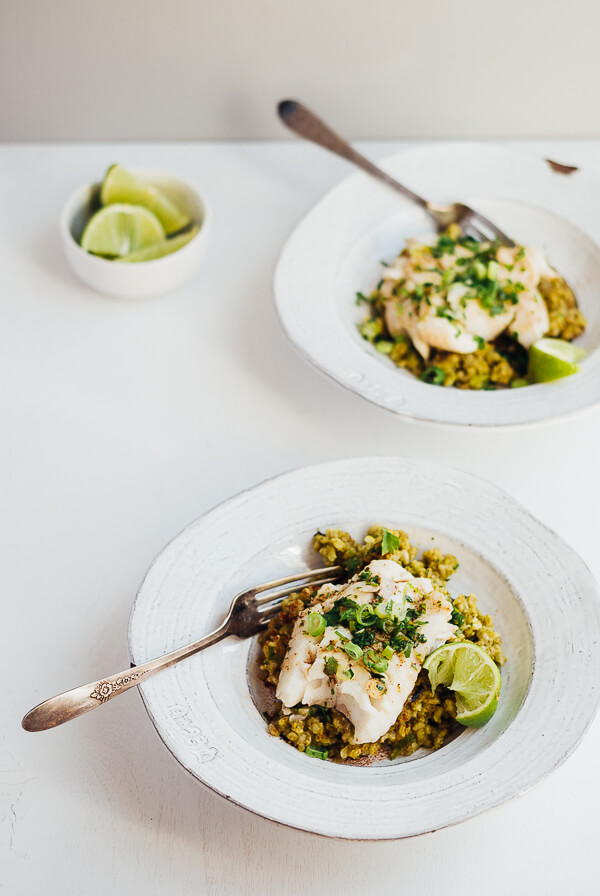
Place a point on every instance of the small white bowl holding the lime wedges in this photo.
(144, 278)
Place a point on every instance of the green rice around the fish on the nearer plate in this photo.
(427, 719)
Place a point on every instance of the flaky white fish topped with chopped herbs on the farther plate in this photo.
(427, 297)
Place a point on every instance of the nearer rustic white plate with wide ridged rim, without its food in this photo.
(543, 599)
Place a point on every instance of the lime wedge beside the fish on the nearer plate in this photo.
(475, 679)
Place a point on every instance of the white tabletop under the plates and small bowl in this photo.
(123, 421)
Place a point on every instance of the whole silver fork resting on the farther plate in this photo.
(302, 121)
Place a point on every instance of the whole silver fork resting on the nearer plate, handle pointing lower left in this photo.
(247, 616)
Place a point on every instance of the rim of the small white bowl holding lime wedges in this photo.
(76, 198)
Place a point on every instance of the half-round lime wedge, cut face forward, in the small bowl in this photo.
(119, 229)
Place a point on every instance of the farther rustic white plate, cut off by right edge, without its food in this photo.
(337, 248)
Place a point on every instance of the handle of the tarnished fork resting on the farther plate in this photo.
(302, 121)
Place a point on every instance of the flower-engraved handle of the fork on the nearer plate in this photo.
(64, 707)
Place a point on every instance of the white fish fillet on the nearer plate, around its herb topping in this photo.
(371, 703)
